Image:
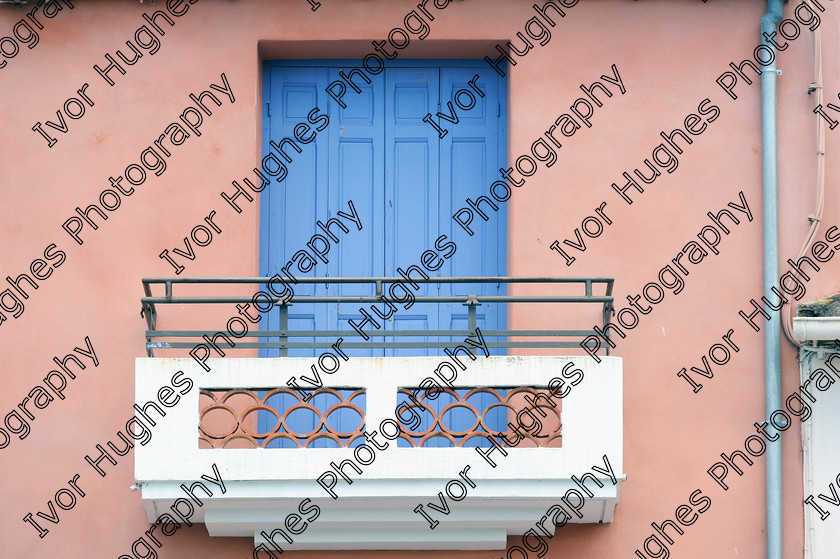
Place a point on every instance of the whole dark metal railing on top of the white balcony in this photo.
(283, 334)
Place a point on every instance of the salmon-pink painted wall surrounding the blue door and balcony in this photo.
(668, 54)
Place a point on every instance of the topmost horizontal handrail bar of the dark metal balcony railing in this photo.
(398, 279)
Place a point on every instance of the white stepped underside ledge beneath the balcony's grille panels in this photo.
(366, 519)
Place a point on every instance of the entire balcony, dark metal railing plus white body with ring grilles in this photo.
(486, 450)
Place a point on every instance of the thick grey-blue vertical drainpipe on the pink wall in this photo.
(772, 330)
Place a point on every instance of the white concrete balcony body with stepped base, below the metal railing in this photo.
(264, 486)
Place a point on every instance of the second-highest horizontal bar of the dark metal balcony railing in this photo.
(372, 299)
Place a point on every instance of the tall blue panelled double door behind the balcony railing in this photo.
(405, 182)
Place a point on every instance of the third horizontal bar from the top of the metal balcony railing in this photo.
(373, 334)
